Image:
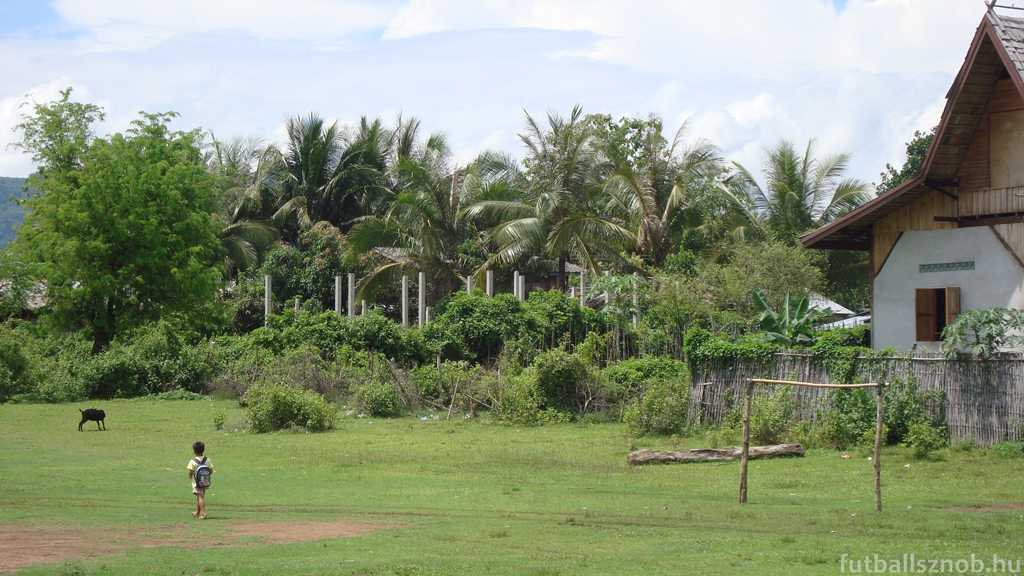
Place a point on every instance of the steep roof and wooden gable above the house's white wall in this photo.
(962, 179)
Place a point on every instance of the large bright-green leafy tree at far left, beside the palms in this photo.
(123, 231)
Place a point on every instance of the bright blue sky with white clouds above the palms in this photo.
(860, 76)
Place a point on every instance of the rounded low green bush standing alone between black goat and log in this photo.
(273, 406)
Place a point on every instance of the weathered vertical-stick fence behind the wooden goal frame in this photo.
(982, 400)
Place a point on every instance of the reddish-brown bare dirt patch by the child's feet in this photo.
(23, 547)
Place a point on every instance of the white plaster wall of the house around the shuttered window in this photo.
(997, 280)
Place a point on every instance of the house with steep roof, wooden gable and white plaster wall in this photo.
(952, 237)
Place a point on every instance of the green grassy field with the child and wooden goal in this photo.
(471, 498)
